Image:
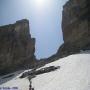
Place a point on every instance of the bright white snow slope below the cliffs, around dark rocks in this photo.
(74, 74)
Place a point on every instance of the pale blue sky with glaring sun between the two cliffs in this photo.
(45, 22)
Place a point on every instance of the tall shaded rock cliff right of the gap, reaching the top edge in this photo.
(75, 27)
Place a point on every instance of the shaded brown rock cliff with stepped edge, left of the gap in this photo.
(16, 47)
